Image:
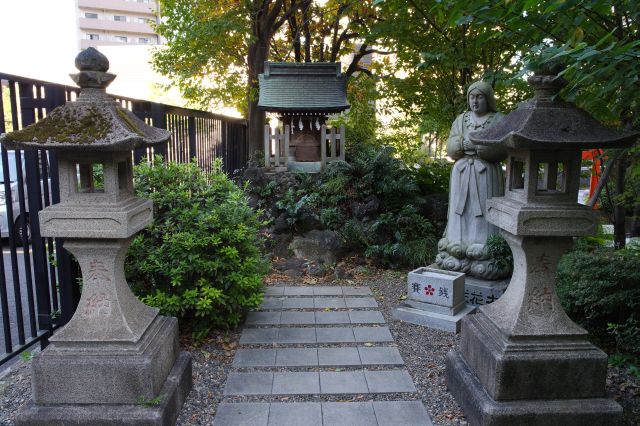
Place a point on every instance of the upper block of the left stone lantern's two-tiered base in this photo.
(86, 373)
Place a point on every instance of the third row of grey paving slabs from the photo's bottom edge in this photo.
(317, 357)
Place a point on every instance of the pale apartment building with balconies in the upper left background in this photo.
(117, 22)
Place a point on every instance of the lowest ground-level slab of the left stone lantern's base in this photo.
(145, 413)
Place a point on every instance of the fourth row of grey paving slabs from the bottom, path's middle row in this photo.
(299, 335)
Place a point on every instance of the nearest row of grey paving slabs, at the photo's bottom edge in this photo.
(368, 413)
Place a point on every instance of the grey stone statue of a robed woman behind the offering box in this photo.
(476, 176)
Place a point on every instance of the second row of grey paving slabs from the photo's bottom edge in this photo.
(319, 383)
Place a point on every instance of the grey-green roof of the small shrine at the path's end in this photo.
(312, 87)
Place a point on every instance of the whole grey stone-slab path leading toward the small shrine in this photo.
(325, 345)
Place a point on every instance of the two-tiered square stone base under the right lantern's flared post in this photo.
(542, 380)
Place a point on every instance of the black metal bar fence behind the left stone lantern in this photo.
(39, 287)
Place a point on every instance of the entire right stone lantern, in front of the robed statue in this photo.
(521, 359)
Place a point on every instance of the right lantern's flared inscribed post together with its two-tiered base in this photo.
(522, 360)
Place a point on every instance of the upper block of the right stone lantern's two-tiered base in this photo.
(529, 369)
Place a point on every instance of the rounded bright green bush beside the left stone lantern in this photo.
(200, 260)
